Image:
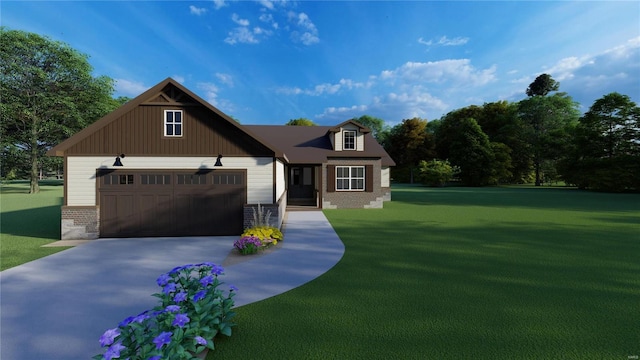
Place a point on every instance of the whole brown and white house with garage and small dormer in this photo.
(168, 163)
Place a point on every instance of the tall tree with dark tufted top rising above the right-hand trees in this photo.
(548, 121)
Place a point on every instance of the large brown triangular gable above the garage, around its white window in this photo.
(137, 128)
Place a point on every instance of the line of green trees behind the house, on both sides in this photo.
(48, 93)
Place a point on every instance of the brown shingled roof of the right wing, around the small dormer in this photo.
(312, 145)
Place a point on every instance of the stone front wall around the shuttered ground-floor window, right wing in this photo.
(356, 199)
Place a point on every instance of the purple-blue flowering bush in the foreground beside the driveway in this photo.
(192, 311)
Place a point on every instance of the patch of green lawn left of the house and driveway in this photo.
(28, 221)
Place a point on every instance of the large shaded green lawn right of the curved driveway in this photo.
(464, 273)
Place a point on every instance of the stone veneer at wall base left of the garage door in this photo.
(80, 223)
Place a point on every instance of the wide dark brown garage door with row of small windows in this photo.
(171, 203)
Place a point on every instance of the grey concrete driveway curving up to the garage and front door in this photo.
(58, 306)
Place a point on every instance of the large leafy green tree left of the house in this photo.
(48, 93)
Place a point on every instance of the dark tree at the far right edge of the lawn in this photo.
(606, 155)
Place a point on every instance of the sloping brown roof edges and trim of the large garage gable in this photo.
(154, 95)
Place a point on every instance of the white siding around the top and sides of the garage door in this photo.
(81, 173)
